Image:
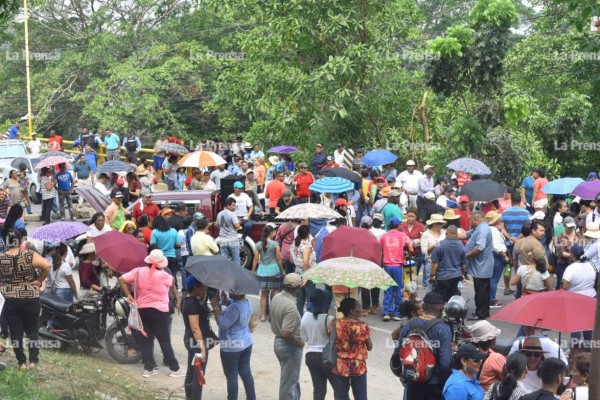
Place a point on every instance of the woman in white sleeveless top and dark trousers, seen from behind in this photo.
(313, 331)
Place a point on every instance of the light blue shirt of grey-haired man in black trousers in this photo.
(482, 265)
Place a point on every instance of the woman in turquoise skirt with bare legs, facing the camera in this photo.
(270, 271)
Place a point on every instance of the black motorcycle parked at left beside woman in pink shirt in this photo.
(83, 323)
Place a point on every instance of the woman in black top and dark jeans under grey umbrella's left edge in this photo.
(197, 333)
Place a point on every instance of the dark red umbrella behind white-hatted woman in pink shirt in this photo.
(122, 252)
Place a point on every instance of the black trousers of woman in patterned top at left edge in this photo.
(23, 316)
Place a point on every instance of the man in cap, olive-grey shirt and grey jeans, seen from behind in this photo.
(285, 324)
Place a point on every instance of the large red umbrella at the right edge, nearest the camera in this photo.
(558, 310)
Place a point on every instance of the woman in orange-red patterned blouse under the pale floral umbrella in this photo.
(352, 342)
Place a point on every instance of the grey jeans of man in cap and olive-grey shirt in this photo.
(290, 361)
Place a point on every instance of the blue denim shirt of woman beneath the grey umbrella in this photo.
(234, 333)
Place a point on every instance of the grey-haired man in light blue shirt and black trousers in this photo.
(480, 262)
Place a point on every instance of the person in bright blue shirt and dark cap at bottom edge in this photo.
(462, 383)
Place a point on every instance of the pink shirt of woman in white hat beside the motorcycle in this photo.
(153, 287)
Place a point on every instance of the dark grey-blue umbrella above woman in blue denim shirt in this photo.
(223, 274)
